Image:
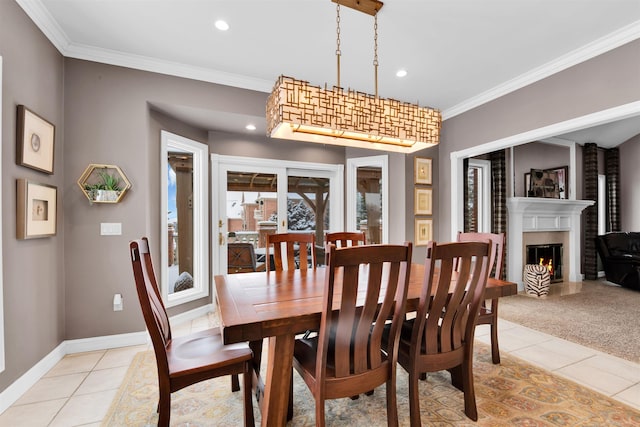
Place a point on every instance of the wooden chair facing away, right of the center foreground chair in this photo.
(441, 335)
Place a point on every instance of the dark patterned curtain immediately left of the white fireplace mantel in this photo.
(499, 198)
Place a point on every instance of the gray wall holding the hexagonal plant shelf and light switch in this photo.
(111, 123)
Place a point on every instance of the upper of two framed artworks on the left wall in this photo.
(35, 140)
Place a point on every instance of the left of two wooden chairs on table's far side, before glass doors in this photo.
(299, 251)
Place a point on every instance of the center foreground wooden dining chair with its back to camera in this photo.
(346, 357)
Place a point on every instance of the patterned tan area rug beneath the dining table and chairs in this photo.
(513, 393)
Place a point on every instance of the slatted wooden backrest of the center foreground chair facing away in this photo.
(372, 278)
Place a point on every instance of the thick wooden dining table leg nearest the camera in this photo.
(276, 387)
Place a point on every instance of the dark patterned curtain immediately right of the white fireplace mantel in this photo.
(590, 173)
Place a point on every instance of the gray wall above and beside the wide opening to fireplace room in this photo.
(606, 81)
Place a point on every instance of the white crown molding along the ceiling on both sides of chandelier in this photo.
(43, 19)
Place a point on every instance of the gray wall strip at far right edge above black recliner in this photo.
(630, 184)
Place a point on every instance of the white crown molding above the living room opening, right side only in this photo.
(604, 44)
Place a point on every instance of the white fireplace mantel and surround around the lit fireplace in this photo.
(531, 214)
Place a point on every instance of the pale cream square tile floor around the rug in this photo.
(79, 389)
